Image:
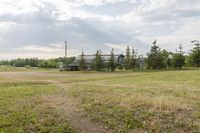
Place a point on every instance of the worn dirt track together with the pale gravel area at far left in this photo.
(67, 106)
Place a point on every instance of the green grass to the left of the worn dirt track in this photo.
(22, 109)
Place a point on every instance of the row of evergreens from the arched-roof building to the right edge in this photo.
(155, 59)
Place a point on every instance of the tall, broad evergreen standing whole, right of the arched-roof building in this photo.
(154, 57)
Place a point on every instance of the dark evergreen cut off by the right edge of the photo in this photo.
(194, 57)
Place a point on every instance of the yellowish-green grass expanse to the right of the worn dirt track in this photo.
(167, 101)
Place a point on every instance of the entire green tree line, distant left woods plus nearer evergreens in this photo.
(156, 58)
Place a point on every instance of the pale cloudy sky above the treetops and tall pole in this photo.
(38, 28)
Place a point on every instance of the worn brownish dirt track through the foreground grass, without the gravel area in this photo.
(75, 115)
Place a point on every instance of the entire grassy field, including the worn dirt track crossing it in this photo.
(50, 101)
